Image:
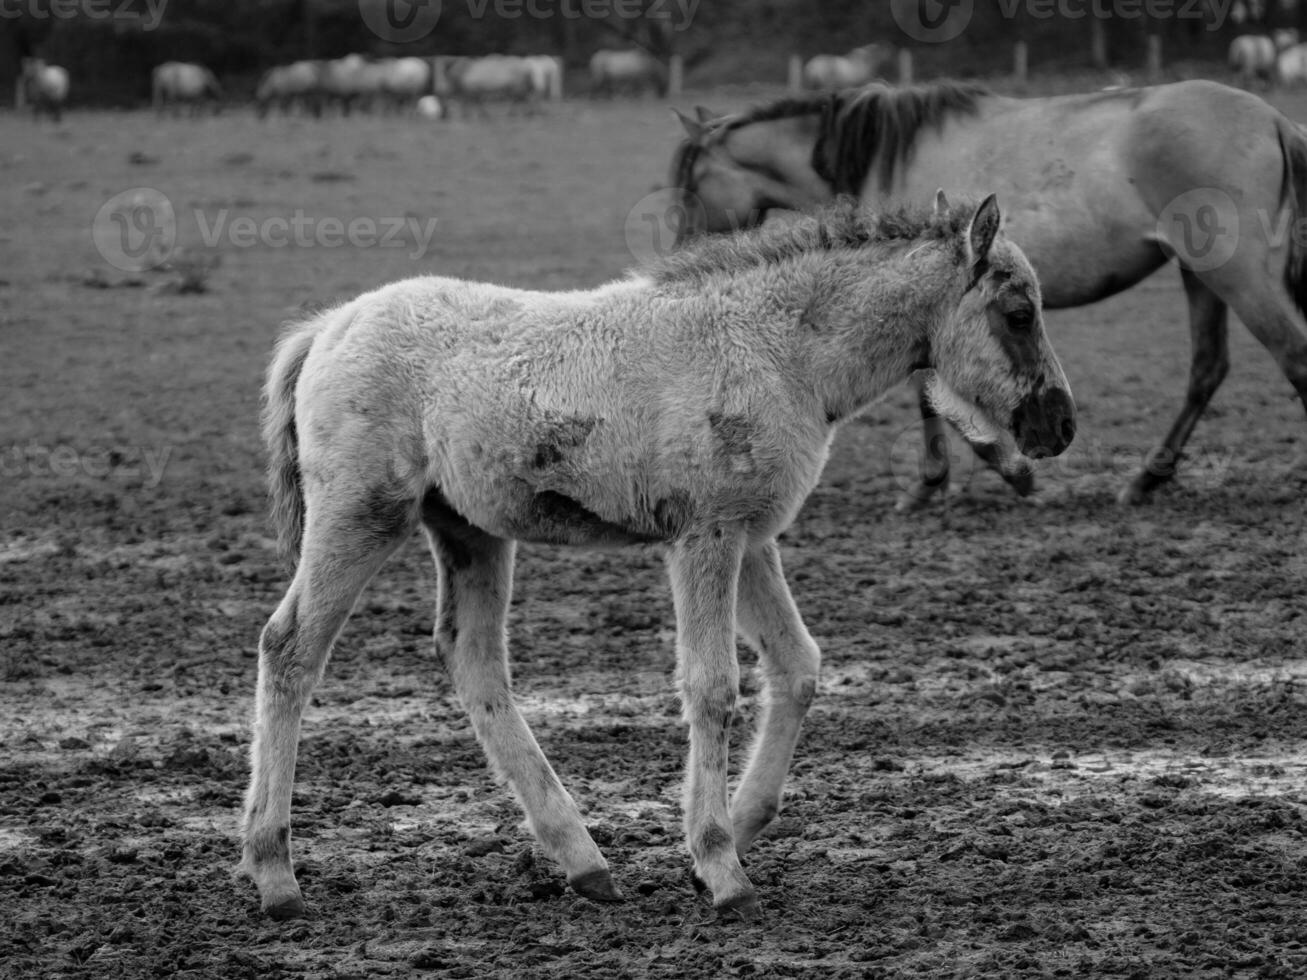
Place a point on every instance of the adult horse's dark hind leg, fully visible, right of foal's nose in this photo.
(1210, 334)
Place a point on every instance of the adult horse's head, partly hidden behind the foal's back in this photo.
(730, 173)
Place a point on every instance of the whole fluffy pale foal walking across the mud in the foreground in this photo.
(689, 406)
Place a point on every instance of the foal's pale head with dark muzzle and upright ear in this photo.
(994, 374)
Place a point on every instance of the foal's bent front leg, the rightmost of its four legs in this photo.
(789, 658)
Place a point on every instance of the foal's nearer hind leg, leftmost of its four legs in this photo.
(344, 546)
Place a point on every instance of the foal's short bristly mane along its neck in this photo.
(842, 225)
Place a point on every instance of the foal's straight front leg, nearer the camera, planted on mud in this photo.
(705, 573)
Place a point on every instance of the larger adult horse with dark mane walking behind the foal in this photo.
(1100, 190)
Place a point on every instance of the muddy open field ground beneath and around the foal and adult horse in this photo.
(1059, 740)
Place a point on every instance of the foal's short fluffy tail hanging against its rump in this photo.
(283, 440)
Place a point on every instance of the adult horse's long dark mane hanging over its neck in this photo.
(878, 126)
